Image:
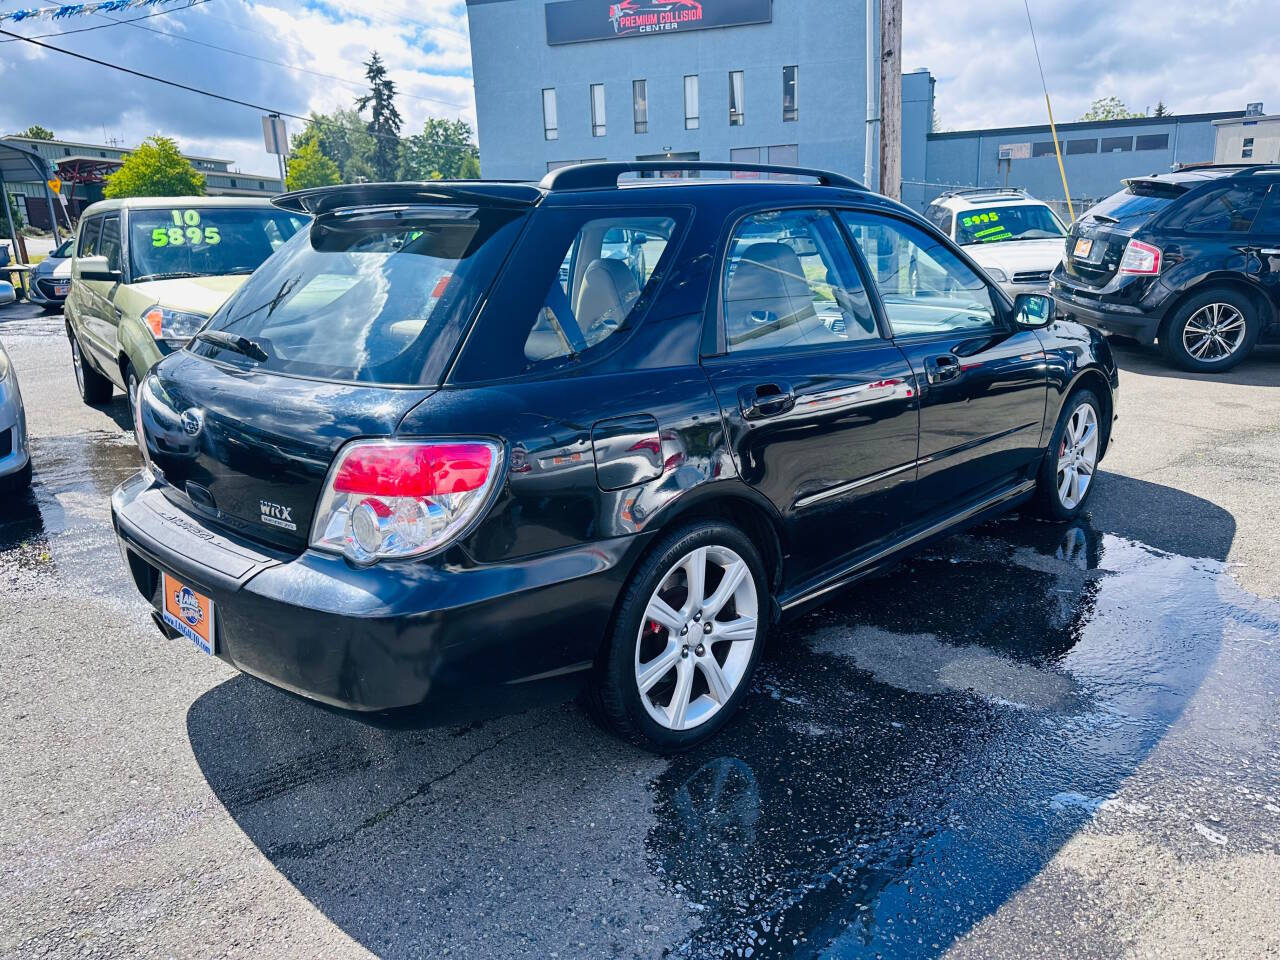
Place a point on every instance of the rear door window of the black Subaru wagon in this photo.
(790, 282)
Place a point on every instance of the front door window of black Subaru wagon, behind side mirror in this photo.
(926, 289)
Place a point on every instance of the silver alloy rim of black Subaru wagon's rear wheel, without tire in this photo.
(697, 638)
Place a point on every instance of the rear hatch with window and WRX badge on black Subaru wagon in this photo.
(337, 337)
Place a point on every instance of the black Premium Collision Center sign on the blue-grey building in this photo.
(577, 21)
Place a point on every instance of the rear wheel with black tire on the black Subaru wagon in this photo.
(687, 639)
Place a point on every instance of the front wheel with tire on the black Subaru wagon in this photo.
(1066, 478)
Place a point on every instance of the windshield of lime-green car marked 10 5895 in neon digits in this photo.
(193, 241)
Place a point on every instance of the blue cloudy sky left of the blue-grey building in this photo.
(424, 45)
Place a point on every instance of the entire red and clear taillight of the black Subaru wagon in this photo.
(404, 499)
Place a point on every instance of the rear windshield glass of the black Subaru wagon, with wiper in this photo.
(369, 296)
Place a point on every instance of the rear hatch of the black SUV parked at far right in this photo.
(1099, 239)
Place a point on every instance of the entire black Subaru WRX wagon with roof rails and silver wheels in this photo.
(479, 445)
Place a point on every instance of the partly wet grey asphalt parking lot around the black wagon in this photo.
(1032, 740)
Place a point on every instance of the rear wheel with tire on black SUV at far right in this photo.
(1212, 332)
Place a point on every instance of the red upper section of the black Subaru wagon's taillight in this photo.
(414, 470)
